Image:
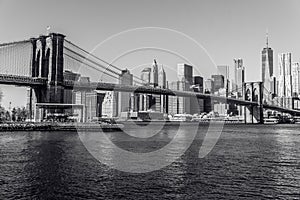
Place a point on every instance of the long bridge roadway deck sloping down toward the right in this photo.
(40, 82)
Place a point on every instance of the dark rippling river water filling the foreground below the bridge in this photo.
(247, 162)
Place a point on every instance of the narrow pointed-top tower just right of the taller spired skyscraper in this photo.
(162, 83)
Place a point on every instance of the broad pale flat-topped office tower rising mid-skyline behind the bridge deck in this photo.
(185, 77)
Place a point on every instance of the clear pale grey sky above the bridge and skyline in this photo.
(132, 33)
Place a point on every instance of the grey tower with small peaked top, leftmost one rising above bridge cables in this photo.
(126, 78)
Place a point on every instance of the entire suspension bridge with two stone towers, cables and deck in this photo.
(40, 64)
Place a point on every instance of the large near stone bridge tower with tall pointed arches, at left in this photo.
(48, 63)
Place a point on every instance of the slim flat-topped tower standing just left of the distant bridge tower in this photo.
(239, 75)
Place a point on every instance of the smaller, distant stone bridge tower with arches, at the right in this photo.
(254, 92)
